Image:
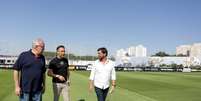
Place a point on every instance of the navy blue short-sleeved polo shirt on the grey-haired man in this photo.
(32, 69)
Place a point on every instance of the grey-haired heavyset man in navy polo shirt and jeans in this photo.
(29, 73)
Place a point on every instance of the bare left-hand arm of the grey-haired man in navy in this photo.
(16, 75)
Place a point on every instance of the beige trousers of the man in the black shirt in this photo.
(61, 88)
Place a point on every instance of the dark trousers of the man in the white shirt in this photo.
(101, 93)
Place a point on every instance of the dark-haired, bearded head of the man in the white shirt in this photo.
(102, 53)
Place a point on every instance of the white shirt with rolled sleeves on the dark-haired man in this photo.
(101, 74)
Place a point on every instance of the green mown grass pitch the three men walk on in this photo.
(131, 86)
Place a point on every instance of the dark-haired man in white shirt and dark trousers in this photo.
(101, 74)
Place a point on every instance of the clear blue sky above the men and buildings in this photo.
(85, 25)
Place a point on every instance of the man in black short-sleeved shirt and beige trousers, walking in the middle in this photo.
(59, 71)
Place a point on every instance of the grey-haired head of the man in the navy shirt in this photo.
(38, 46)
